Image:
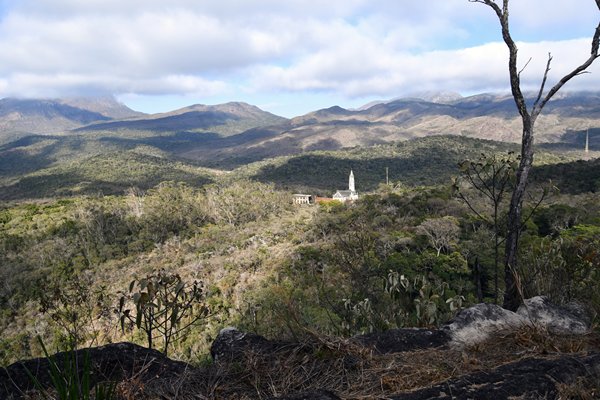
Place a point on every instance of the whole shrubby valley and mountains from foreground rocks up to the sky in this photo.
(96, 199)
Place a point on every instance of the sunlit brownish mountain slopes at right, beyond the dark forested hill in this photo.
(485, 116)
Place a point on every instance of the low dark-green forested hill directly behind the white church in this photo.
(422, 161)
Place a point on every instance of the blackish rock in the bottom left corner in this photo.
(112, 362)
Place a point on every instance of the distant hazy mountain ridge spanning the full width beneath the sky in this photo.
(233, 134)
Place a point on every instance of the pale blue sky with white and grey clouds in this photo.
(288, 57)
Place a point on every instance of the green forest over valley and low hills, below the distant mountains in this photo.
(84, 251)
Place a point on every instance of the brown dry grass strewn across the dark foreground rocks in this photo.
(356, 372)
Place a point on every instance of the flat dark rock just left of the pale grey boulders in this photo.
(400, 340)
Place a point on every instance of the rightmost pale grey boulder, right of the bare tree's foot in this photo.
(570, 319)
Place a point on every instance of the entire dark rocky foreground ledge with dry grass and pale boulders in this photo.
(540, 352)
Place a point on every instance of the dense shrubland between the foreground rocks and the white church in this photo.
(398, 257)
